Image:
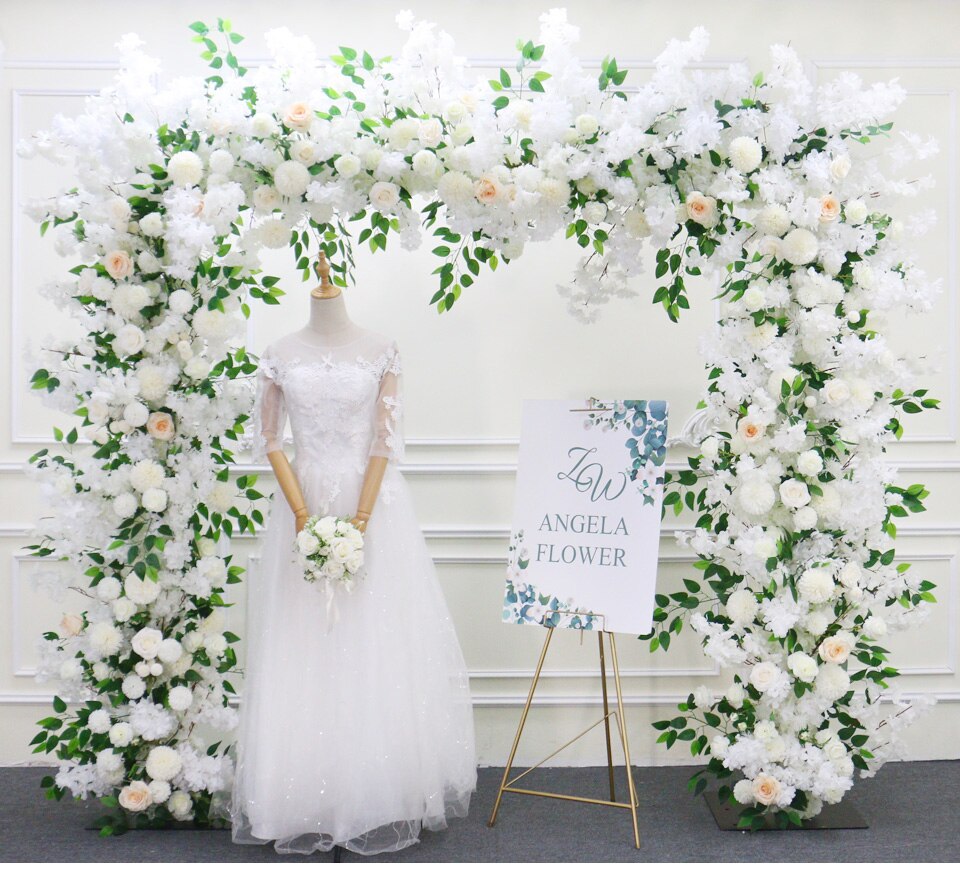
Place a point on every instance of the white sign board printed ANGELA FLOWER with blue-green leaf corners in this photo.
(586, 525)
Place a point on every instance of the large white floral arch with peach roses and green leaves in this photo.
(756, 181)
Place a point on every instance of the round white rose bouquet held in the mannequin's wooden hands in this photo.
(331, 553)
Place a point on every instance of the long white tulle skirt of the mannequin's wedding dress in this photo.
(360, 732)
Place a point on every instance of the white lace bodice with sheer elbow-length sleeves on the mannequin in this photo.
(343, 404)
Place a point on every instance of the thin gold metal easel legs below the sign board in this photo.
(509, 785)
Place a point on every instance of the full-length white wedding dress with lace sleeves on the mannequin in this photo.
(359, 733)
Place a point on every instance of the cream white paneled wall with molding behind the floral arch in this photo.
(508, 338)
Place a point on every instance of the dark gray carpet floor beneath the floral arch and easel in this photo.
(913, 810)
